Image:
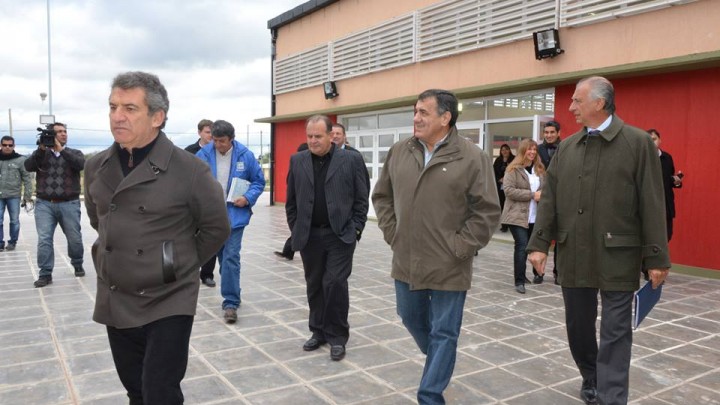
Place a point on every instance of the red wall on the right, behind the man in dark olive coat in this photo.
(682, 107)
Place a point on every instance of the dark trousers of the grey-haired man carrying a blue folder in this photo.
(609, 363)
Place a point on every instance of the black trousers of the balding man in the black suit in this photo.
(328, 263)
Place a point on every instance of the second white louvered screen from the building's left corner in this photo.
(381, 47)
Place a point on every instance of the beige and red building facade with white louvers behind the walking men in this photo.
(663, 56)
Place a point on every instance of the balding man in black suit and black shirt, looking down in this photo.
(327, 204)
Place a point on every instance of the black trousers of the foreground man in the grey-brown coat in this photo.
(151, 360)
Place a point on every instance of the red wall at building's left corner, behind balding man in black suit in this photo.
(288, 136)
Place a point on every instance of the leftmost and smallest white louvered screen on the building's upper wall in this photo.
(301, 70)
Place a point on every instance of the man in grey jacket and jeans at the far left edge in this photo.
(14, 181)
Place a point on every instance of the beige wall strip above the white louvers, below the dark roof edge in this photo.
(340, 19)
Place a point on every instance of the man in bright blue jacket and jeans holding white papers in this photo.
(242, 180)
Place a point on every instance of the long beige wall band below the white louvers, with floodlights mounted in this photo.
(669, 33)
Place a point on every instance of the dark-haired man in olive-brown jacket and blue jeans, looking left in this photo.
(436, 204)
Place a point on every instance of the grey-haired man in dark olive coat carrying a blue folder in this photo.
(603, 204)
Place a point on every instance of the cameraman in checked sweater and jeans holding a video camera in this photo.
(58, 190)
